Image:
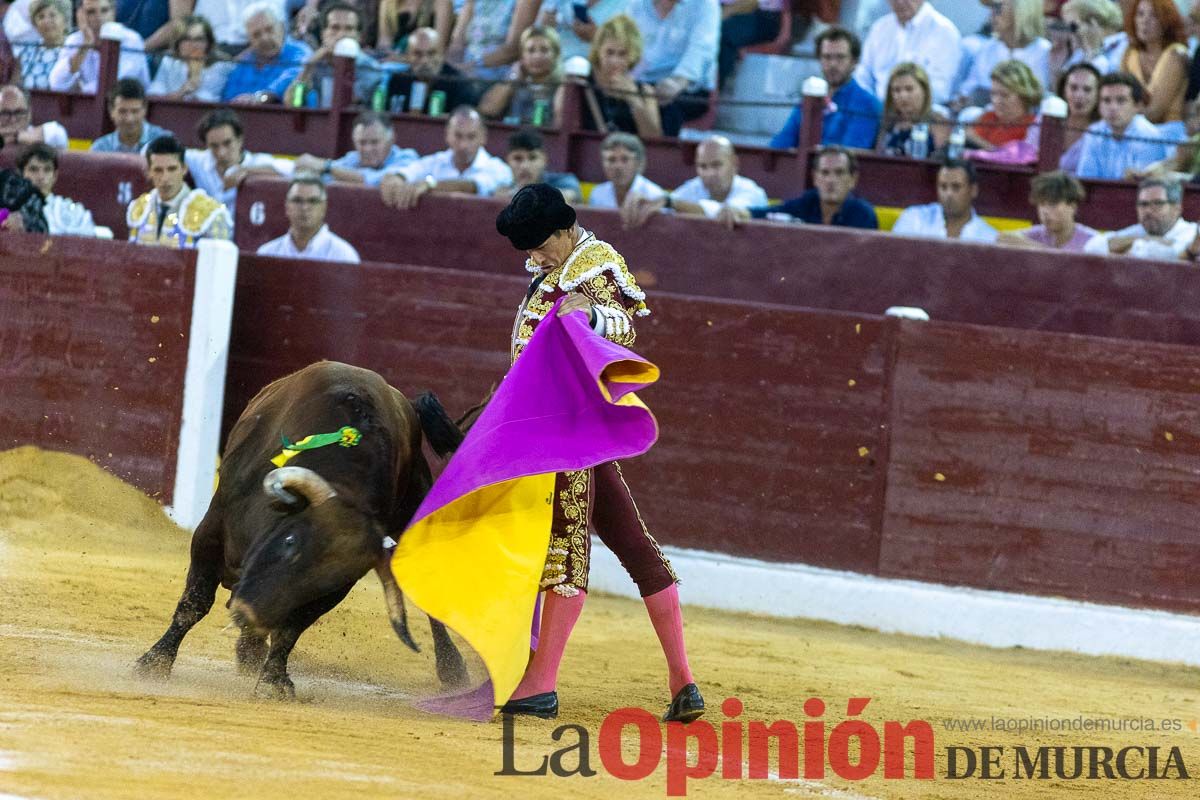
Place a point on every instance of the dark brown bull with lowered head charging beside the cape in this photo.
(291, 542)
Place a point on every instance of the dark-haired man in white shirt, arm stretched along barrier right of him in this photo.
(224, 164)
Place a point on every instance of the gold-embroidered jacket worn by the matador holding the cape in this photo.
(596, 270)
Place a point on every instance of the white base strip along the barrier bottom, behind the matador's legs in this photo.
(892, 606)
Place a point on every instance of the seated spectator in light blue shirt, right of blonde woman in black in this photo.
(680, 57)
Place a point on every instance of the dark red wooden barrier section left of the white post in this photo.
(93, 352)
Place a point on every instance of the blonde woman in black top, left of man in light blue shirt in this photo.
(615, 100)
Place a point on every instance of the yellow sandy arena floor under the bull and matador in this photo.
(91, 572)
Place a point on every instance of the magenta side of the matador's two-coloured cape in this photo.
(548, 416)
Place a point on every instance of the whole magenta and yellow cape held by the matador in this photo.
(475, 554)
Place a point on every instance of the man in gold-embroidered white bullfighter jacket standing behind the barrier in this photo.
(171, 215)
